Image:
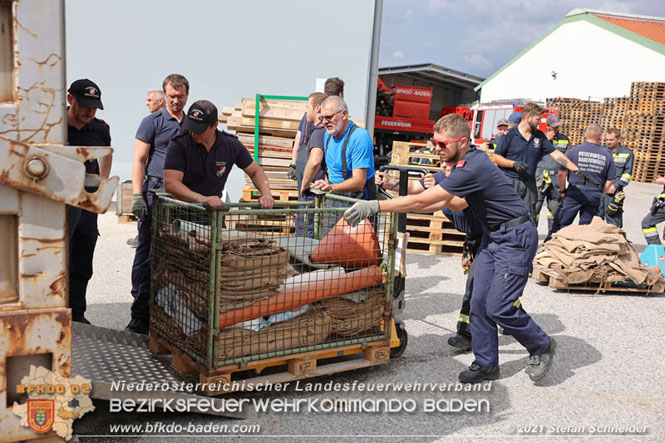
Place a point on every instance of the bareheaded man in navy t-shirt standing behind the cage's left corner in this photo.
(150, 146)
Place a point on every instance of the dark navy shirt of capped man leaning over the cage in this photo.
(206, 171)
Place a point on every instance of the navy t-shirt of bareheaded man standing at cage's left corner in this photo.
(157, 129)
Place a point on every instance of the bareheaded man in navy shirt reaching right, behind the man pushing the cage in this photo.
(519, 151)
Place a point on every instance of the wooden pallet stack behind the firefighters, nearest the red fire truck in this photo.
(576, 115)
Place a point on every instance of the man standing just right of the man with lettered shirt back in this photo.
(611, 204)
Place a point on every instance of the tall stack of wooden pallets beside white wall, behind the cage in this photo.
(278, 123)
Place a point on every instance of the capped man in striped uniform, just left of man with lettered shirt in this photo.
(547, 172)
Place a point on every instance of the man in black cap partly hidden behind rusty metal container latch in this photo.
(84, 129)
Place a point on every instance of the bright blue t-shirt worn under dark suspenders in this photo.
(359, 153)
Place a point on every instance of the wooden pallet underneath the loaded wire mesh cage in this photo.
(297, 366)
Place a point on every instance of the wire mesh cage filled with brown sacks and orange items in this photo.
(237, 284)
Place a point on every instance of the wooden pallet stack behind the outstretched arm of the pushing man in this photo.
(428, 233)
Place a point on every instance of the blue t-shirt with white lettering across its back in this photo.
(594, 160)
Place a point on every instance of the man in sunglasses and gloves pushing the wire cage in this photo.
(509, 244)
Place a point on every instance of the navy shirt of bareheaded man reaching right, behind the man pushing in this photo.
(514, 146)
